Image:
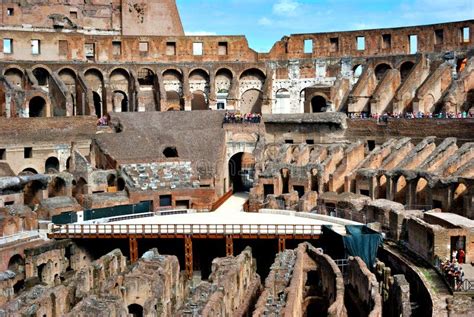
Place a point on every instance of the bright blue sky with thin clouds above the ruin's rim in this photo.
(264, 22)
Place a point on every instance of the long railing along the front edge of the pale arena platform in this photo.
(187, 229)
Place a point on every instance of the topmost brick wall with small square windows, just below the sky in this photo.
(65, 46)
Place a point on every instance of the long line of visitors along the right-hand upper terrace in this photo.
(411, 115)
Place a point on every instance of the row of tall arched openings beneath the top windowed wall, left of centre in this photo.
(120, 84)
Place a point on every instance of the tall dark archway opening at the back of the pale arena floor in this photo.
(241, 171)
